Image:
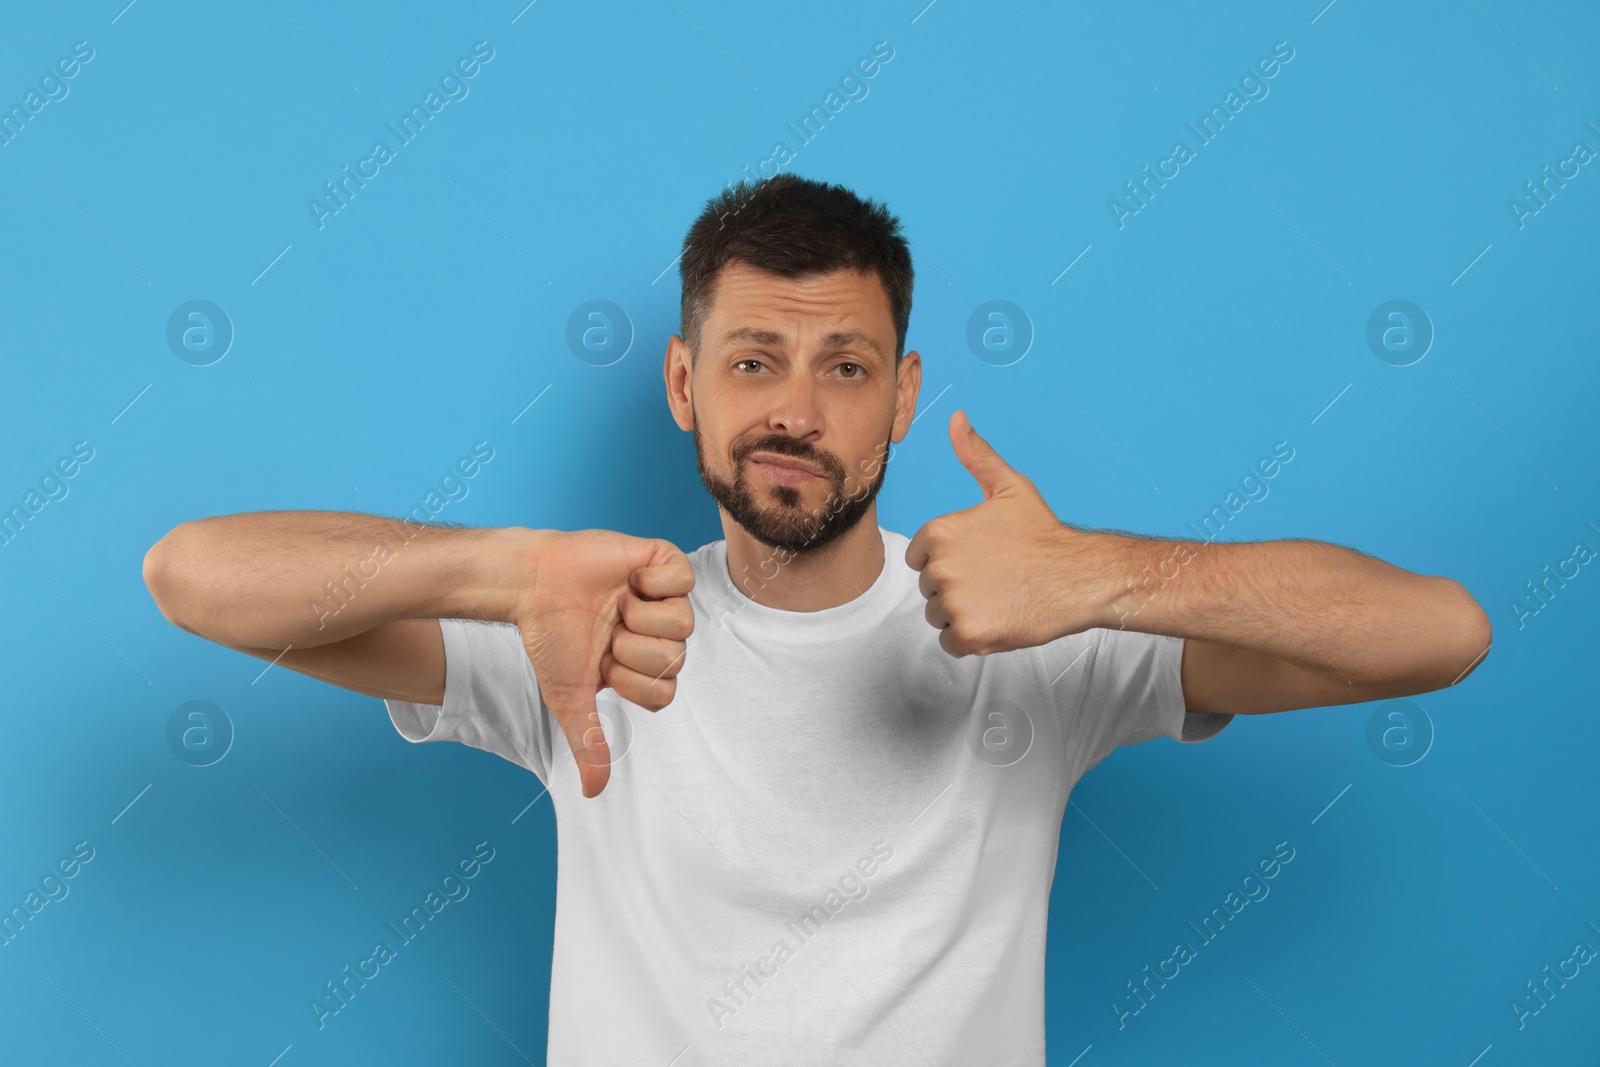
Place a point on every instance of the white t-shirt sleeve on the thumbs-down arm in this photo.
(492, 698)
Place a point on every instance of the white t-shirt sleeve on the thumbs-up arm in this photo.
(1122, 687)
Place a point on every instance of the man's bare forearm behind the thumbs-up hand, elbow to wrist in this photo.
(1346, 617)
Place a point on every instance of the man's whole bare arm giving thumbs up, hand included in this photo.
(1268, 626)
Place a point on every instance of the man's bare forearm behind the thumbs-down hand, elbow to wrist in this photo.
(273, 580)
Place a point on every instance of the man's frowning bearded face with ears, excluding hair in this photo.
(801, 374)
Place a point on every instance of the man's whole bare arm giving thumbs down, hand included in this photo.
(356, 601)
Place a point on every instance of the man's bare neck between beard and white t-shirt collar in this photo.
(810, 581)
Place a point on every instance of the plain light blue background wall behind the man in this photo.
(431, 311)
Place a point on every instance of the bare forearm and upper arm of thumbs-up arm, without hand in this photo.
(1282, 625)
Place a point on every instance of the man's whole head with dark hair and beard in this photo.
(796, 305)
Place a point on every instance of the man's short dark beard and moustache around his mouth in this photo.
(786, 524)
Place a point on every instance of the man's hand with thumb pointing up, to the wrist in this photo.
(1007, 573)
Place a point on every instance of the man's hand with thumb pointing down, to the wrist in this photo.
(602, 609)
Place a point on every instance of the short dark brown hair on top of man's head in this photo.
(794, 228)
